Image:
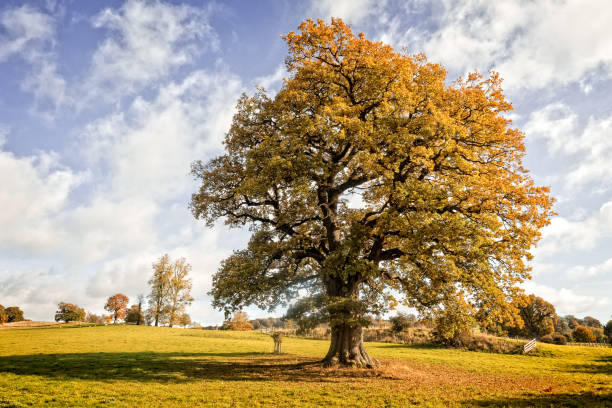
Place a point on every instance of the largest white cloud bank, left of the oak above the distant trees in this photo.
(136, 209)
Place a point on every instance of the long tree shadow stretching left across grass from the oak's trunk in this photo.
(175, 367)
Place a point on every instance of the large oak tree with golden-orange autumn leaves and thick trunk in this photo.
(368, 180)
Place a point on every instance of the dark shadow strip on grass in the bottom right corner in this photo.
(566, 400)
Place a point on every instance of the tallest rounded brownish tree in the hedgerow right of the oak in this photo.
(537, 314)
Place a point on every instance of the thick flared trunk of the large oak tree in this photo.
(347, 349)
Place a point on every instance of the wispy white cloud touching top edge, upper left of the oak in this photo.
(146, 42)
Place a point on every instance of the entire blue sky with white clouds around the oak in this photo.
(104, 105)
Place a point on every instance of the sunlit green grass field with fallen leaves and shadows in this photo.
(132, 366)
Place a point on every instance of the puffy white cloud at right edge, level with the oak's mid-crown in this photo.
(558, 126)
